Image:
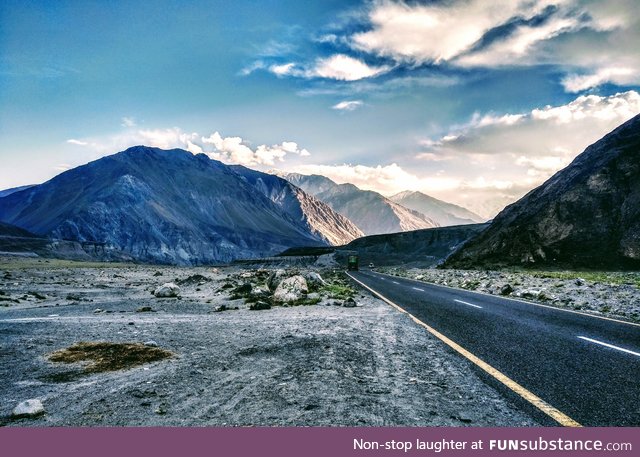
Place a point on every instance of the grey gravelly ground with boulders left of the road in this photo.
(229, 346)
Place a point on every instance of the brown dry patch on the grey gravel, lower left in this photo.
(103, 356)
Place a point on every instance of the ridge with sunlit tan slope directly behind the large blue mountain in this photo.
(319, 219)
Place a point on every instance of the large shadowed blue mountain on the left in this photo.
(165, 206)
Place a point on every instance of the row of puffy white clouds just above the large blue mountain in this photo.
(232, 150)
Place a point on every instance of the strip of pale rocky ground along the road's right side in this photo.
(614, 294)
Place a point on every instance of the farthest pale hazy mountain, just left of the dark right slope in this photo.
(441, 212)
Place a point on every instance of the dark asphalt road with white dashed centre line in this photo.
(586, 367)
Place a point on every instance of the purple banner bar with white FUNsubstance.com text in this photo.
(318, 442)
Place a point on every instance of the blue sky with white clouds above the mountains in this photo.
(472, 101)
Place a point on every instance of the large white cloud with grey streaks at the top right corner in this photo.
(594, 41)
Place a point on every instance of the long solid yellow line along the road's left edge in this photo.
(529, 396)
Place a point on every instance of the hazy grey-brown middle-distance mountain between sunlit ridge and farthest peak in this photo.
(370, 211)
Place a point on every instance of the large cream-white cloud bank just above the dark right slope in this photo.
(517, 152)
